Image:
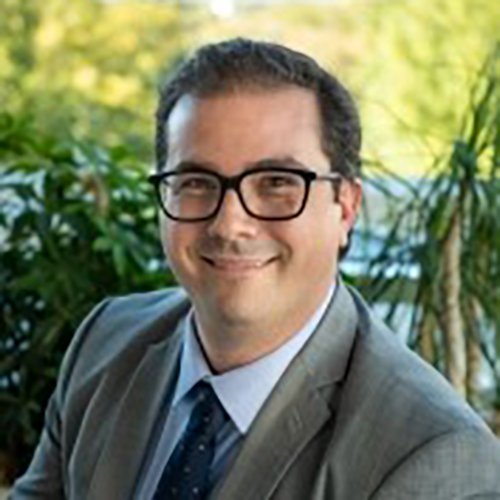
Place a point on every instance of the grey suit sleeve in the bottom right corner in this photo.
(462, 465)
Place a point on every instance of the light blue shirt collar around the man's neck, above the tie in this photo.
(258, 378)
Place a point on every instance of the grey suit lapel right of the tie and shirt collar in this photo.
(298, 407)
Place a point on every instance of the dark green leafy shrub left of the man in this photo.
(77, 223)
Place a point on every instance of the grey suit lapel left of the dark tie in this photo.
(119, 465)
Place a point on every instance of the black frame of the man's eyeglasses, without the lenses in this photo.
(234, 183)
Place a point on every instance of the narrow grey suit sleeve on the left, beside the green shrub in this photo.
(45, 478)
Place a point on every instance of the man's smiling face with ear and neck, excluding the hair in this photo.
(254, 283)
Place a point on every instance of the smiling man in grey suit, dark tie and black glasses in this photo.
(264, 377)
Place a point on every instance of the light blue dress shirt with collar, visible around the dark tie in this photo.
(258, 379)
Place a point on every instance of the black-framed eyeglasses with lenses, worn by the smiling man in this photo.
(266, 193)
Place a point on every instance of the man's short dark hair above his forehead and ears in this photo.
(240, 64)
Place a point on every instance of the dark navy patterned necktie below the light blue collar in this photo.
(186, 475)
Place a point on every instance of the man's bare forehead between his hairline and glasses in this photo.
(245, 126)
